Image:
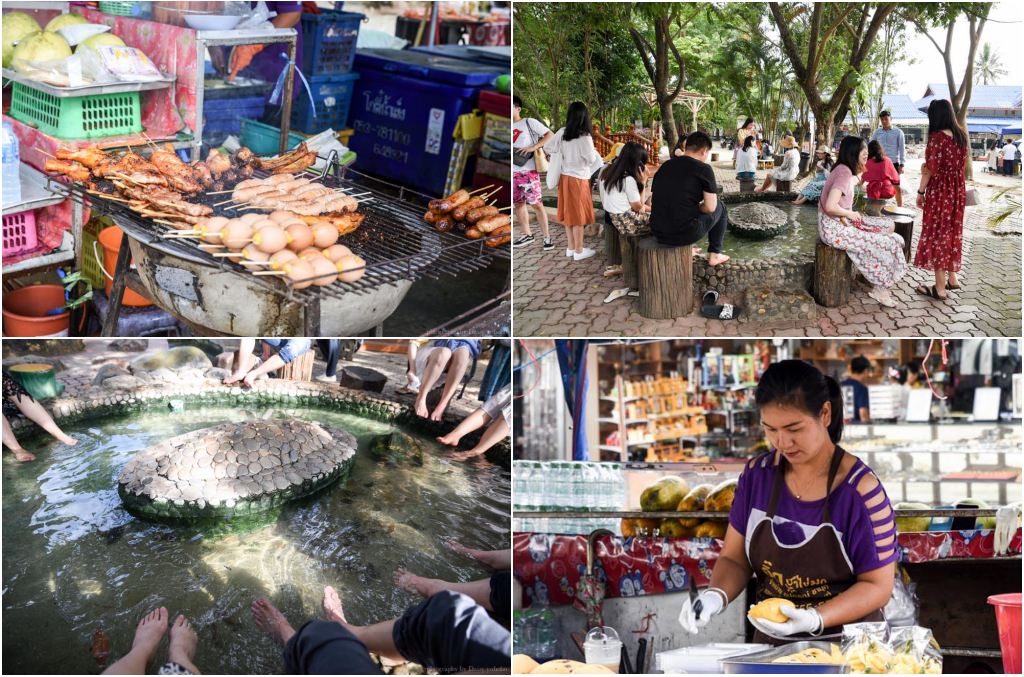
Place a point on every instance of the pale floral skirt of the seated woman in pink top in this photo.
(876, 251)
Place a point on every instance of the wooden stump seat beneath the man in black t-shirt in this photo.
(666, 280)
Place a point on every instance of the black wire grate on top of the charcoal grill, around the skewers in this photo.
(394, 240)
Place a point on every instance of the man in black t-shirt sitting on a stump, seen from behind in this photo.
(686, 205)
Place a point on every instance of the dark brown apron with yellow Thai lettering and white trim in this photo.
(807, 575)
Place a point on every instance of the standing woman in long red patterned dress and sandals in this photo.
(943, 197)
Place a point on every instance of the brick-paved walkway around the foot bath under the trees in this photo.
(553, 297)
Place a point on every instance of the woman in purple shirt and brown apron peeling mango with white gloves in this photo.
(812, 523)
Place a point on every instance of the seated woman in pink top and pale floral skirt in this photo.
(870, 241)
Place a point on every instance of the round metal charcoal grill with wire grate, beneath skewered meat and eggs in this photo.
(215, 295)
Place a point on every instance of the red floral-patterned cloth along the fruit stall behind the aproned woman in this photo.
(549, 567)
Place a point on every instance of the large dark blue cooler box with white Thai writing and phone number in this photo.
(405, 110)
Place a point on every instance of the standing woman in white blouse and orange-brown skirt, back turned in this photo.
(579, 161)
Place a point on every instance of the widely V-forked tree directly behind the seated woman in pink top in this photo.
(817, 36)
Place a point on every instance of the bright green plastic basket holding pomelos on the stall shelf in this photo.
(77, 117)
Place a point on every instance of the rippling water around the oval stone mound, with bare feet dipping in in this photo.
(74, 562)
